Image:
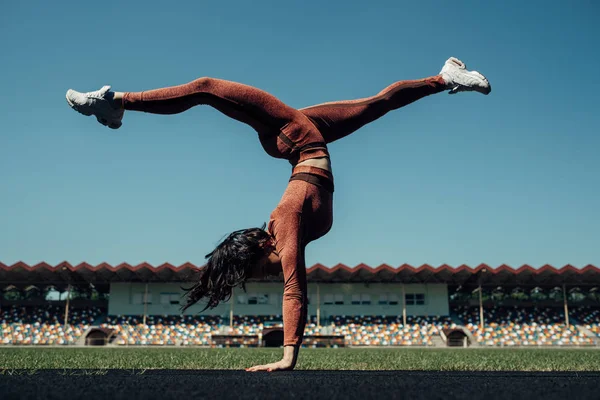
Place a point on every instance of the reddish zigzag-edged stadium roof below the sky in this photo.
(21, 274)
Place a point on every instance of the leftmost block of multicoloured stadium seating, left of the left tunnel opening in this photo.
(44, 325)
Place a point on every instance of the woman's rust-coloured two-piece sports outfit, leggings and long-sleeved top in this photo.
(305, 211)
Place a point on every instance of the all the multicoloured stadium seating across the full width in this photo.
(504, 326)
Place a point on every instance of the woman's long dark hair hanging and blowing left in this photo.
(229, 265)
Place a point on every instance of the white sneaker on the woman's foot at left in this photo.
(96, 103)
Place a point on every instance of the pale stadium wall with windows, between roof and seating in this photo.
(266, 298)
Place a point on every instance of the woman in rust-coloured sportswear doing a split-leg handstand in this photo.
(301, 136)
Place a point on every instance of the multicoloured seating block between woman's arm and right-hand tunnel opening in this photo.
(389, 331)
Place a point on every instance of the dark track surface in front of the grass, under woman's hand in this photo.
(227, 384)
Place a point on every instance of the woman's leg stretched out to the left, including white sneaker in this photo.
(247, 104)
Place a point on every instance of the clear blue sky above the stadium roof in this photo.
(511, 178)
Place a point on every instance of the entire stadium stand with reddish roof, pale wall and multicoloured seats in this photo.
(359, 306)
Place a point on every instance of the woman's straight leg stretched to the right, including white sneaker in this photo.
(336, 120)
